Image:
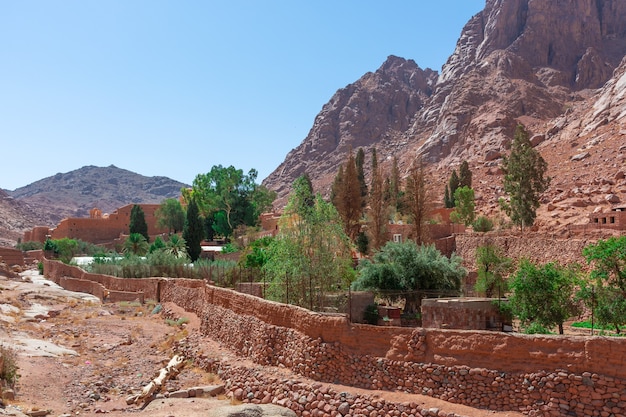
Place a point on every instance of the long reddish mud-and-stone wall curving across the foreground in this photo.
(539, 375)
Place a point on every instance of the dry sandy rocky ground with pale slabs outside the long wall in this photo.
(77, 356)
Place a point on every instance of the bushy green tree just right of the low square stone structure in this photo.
(544, 295)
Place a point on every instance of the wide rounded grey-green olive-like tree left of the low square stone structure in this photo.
(410, 272)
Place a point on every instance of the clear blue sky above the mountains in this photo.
(174, 87)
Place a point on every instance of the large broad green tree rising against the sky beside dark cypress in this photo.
(229, 198)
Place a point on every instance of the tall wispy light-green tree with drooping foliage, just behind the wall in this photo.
(311, 255)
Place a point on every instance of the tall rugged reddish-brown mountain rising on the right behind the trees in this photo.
(553, 66)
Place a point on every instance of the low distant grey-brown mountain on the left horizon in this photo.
(73, 194)
